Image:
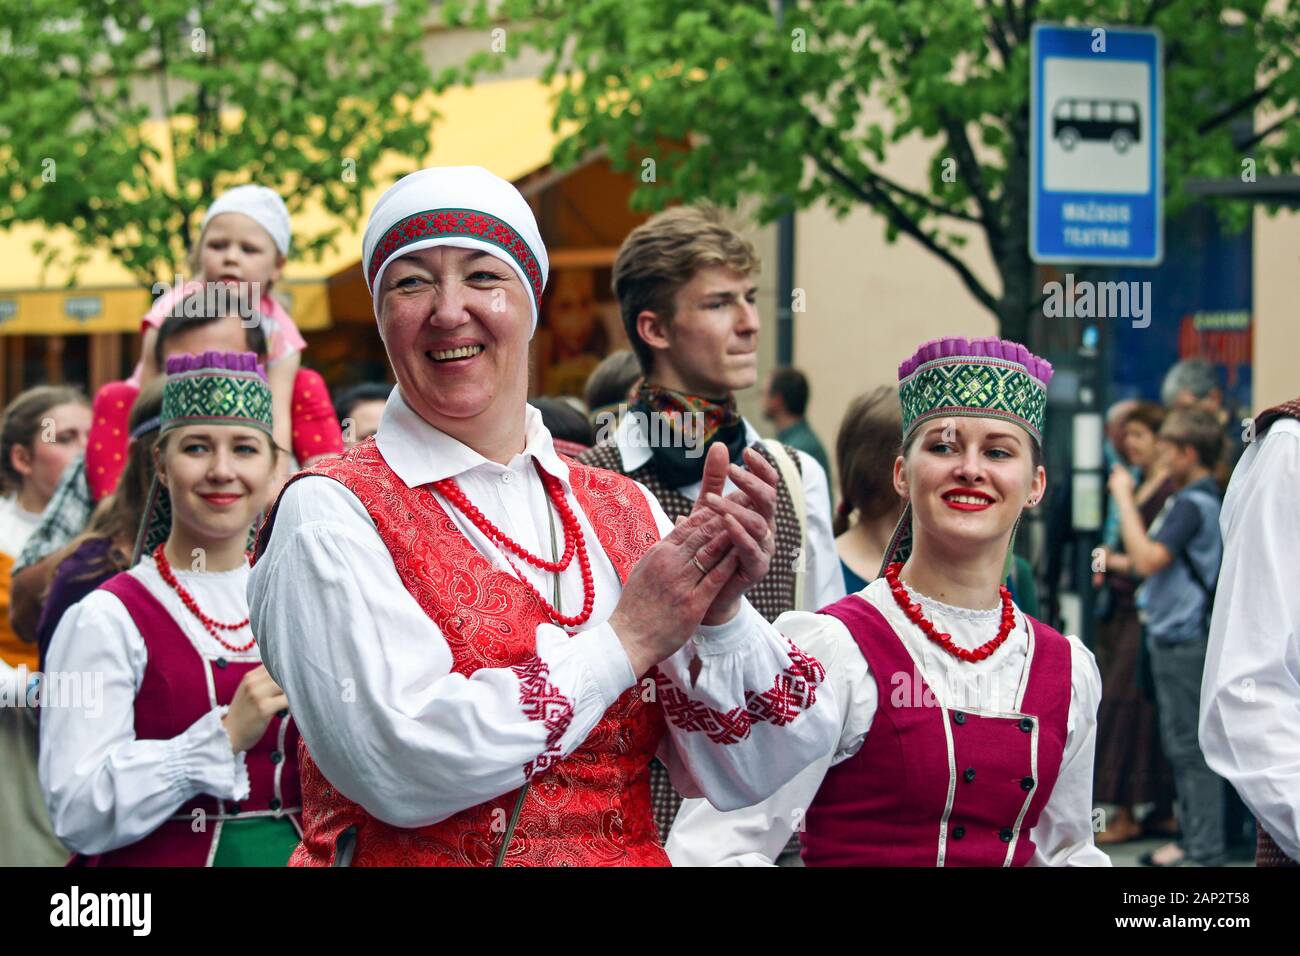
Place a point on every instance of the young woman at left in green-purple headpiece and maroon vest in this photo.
(185, 755)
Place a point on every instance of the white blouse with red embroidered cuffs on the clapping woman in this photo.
(370, 678)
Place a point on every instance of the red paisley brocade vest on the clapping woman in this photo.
(591, 808)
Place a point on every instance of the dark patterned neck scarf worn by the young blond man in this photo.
(682, 429)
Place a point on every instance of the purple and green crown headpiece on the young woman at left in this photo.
(216, 388)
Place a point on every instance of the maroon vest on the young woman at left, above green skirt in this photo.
(180, 687)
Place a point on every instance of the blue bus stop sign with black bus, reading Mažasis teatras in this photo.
(1097, 142)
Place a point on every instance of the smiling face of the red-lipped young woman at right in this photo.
(969, 479)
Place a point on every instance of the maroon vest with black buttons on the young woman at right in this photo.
(934, 786)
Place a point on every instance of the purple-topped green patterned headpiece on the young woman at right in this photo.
(982, 378)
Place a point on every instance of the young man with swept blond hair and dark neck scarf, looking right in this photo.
(687, 288)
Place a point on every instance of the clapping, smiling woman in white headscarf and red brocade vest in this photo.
(486, 643)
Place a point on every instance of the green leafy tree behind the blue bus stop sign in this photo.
(731, 100)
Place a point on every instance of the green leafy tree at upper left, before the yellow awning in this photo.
(300, 96)
